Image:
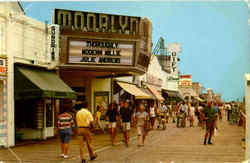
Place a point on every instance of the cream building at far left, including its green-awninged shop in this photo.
(25, 50)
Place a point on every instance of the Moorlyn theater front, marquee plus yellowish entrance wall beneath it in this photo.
(96, 48)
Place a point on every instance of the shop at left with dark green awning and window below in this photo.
(37, 92)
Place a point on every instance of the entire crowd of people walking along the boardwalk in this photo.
(141, 116)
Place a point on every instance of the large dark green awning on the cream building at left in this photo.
(33, 82)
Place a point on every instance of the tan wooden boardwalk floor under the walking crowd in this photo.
(173, 145)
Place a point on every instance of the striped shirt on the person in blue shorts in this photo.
(65, 120)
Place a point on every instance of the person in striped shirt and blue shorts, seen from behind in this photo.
(65, 123)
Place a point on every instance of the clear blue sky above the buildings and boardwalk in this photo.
(214, 36)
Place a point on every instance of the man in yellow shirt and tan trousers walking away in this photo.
(85, 123)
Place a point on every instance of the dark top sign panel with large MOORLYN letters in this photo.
(95, 22)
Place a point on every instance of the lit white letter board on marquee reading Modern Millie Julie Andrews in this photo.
(100, 52)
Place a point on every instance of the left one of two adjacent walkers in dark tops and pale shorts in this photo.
(112, 115)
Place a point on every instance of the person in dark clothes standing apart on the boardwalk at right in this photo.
(210, 117)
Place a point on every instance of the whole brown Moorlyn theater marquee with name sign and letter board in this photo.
(104, 43)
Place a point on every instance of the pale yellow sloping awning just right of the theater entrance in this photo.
(134, 90)
